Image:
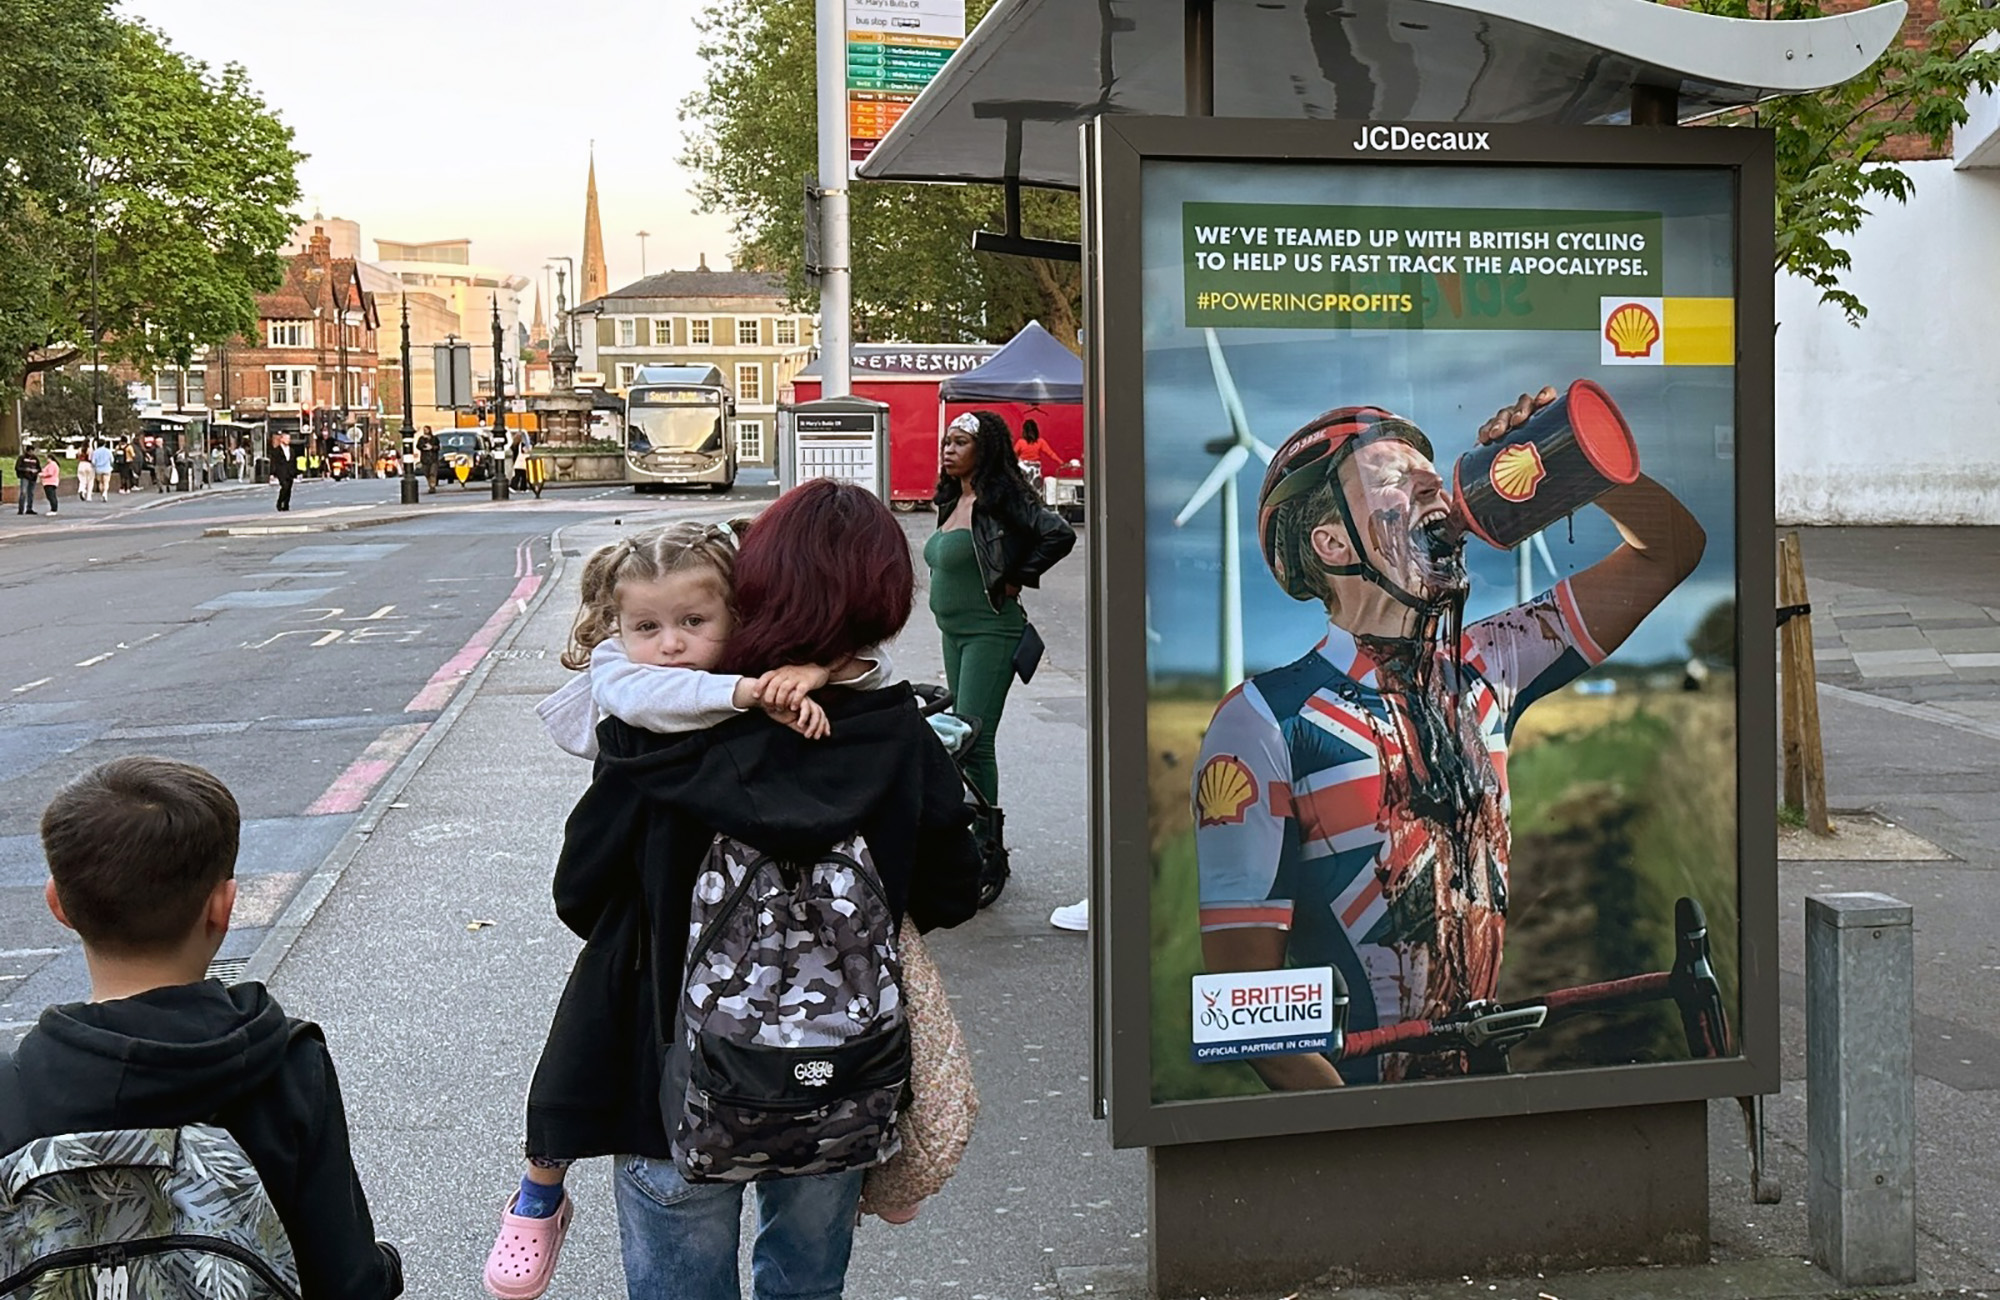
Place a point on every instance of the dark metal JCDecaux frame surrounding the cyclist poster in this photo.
(1115, 157)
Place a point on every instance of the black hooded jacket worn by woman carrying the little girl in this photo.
(637, 839)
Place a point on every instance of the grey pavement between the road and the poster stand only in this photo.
(437, 965)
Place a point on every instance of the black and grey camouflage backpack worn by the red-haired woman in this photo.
(793, 1049)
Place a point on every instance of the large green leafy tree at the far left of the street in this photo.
(167, 227)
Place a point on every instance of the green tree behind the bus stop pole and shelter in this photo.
(753, 145)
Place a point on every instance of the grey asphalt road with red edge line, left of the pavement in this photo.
(295, 655)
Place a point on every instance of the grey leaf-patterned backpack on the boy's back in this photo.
(141, 1213)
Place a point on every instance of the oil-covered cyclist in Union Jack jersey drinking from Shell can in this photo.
(1353, 807)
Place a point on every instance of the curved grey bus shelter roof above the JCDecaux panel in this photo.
(1009, 103)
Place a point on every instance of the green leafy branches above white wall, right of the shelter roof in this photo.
(1839, 149)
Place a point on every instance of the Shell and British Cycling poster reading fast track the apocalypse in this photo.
(1441, 621)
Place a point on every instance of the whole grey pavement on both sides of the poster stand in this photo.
(437, 963)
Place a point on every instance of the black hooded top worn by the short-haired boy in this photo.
(199, 1055)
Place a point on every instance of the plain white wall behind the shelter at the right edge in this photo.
(1899, 421)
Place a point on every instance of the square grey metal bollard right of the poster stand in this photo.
(1861, 1089)
